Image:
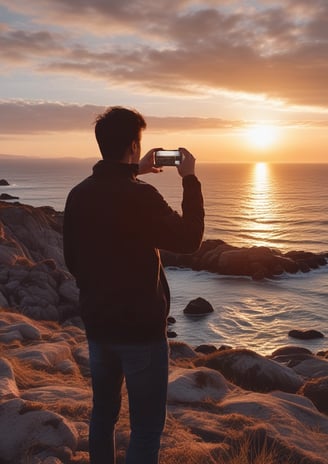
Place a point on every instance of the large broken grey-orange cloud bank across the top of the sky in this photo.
(275, 48)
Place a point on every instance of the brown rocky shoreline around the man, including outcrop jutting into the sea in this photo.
(224, 405)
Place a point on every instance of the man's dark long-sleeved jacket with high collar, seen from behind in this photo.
(114, 226)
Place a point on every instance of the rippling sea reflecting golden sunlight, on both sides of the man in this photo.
(280, 206)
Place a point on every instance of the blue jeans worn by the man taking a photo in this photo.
(145, 368)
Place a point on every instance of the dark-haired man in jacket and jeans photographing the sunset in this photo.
(114, 226)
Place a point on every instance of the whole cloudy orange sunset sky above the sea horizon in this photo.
(232, 81)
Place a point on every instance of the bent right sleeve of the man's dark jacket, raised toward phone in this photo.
(172, 231)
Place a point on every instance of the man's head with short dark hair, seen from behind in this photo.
(116, 129)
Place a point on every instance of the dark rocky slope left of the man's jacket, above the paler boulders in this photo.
(33, 277)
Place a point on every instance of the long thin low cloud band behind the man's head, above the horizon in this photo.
(22, 117)
